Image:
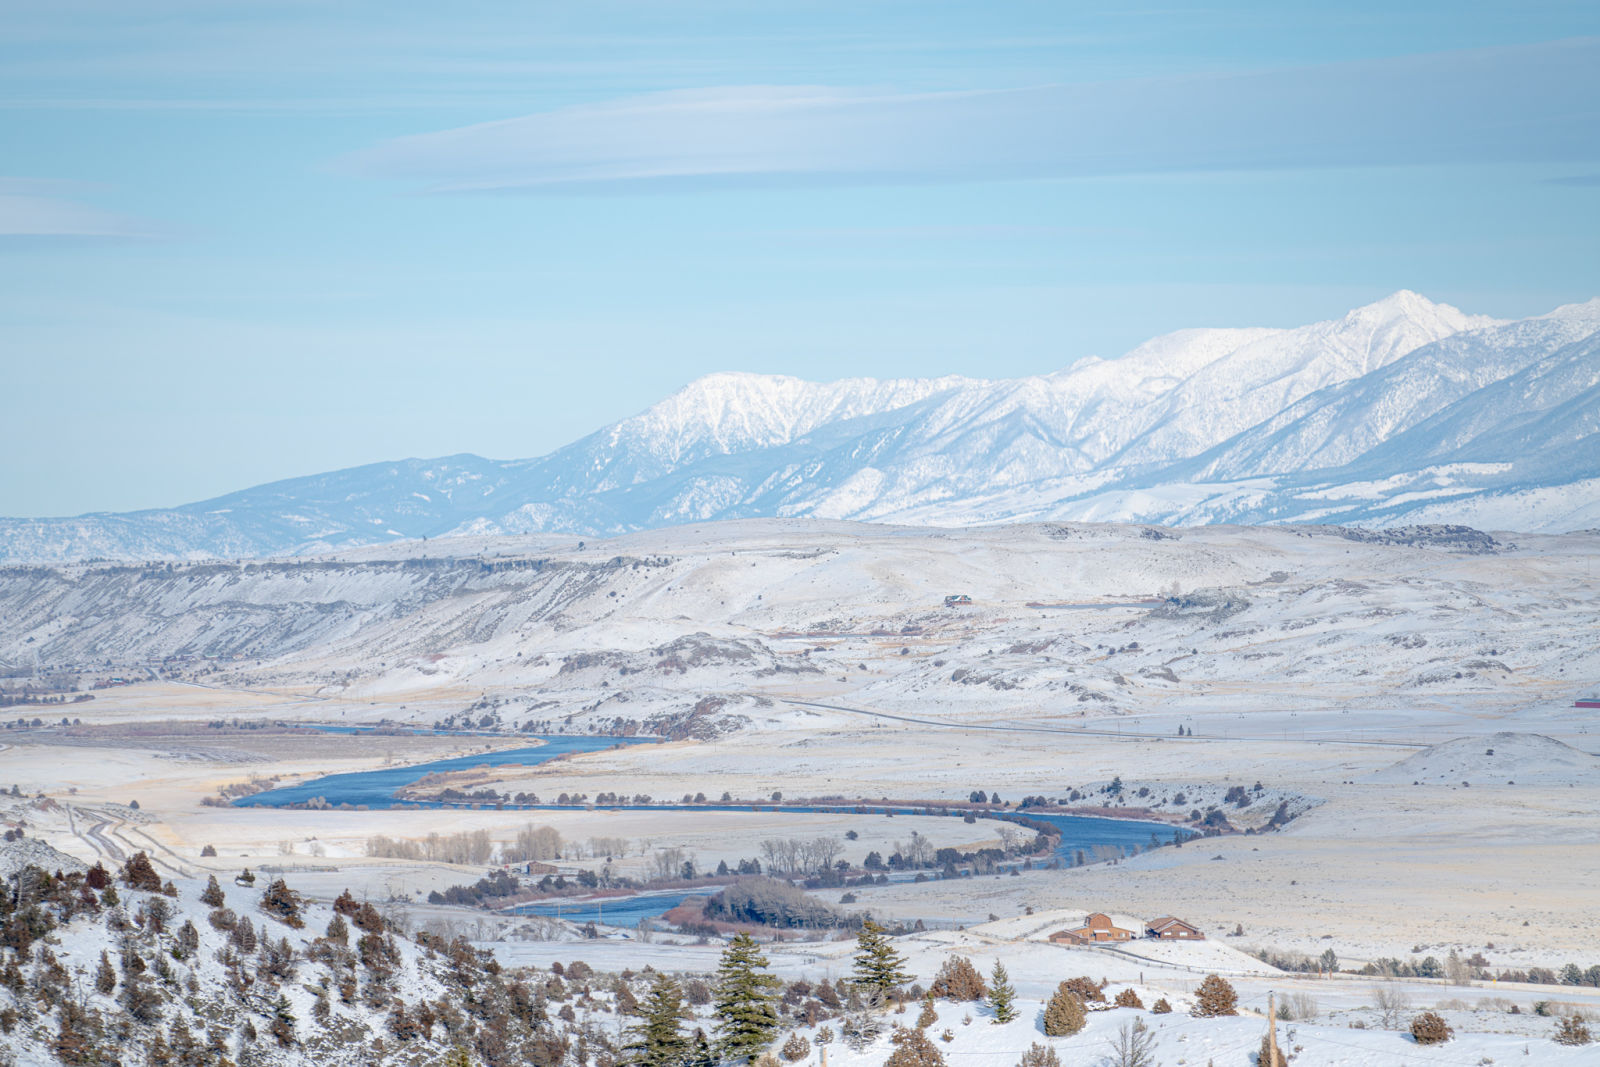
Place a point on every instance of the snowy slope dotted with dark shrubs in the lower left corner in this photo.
(148, 1002)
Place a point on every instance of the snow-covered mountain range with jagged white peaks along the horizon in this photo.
(1398, 412)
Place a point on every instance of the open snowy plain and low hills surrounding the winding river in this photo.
(1409, 697)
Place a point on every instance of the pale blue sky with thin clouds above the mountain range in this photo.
(254, 241)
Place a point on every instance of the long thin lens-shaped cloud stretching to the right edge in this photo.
(1534, 103)
